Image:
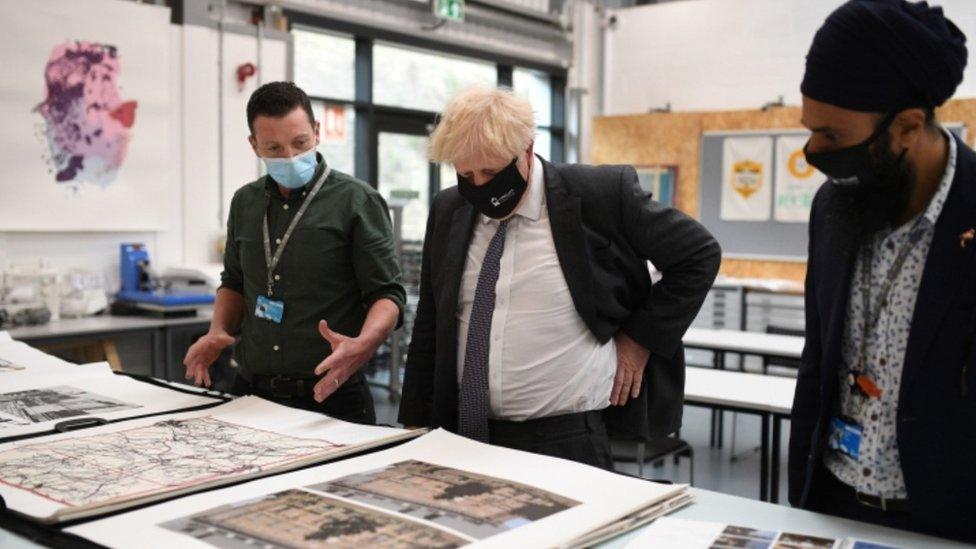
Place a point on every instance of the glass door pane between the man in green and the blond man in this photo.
(405, 172)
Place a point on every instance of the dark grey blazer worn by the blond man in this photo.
(605, 228)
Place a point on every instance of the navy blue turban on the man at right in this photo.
(885, 56)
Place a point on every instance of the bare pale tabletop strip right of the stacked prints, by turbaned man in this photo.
(716, 507)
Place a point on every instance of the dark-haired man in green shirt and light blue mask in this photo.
(310, 281)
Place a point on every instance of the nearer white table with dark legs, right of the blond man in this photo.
(769, 397)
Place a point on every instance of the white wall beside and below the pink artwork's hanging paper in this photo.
(195, 223)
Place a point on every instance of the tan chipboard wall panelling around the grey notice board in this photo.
(675, 139)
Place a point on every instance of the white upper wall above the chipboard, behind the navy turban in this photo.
(708, 55)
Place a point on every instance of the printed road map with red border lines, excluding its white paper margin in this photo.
(162, 457)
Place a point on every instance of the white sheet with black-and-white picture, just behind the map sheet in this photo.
(35, 404)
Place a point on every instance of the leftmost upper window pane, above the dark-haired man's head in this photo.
(325, 64)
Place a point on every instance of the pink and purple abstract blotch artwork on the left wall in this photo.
(87, 122)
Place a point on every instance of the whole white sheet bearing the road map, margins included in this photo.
(116, 466)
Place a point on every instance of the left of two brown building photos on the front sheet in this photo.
(297, 518)
